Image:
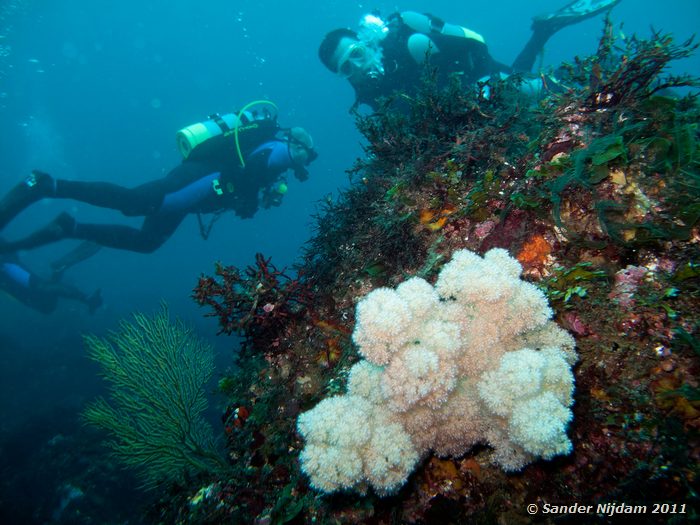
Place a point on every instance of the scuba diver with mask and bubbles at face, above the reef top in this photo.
(383, 57)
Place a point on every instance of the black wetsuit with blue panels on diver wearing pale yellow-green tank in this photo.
(196, 186)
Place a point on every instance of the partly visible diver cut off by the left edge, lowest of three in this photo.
(40, 294)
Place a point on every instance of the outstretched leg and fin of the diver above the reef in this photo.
(543, 27)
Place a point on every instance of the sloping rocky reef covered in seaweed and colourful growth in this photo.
(581, 187)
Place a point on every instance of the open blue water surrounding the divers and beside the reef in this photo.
(94, 90)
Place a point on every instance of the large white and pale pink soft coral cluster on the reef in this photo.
(472, 359)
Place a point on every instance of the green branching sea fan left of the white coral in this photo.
(158, 372)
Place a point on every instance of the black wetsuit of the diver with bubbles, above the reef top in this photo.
(457, 54)
